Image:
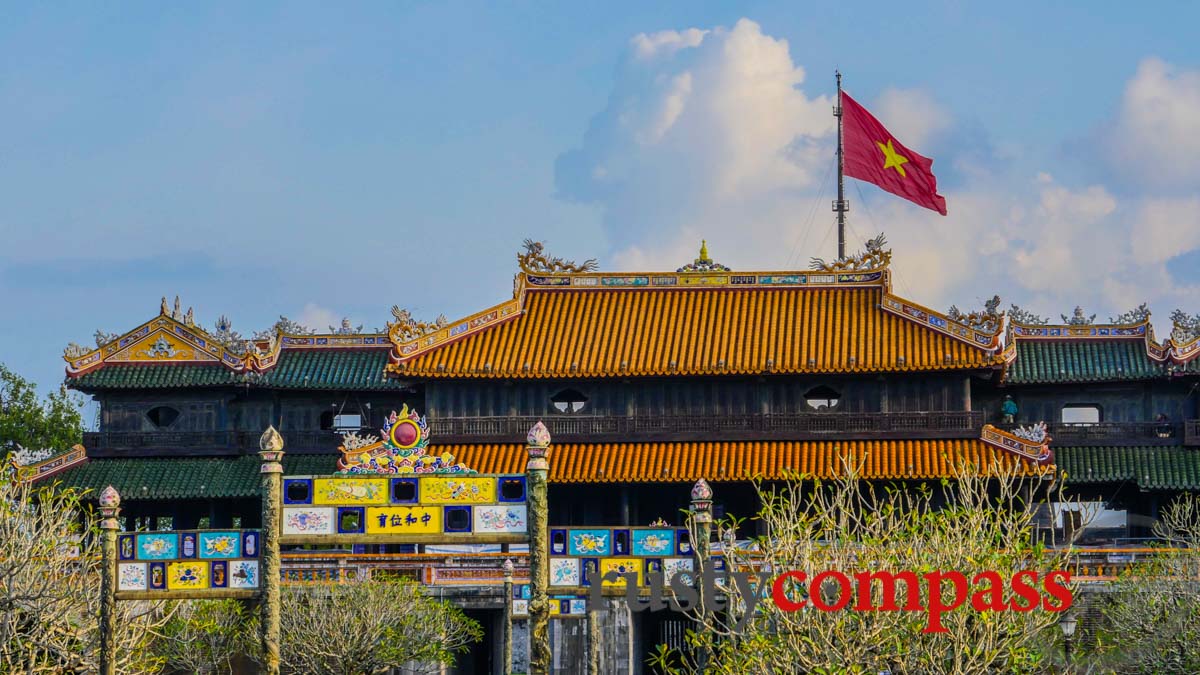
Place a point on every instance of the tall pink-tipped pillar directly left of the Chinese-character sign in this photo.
(272, 451)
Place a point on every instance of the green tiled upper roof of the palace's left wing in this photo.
(297, 369)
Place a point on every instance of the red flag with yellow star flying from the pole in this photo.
(871, 153)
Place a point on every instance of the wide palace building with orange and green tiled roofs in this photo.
(647, 384)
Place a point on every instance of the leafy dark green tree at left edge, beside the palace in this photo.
(28, 422)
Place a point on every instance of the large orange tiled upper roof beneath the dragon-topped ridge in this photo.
(651, 332)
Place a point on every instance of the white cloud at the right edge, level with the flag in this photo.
(1156, 138)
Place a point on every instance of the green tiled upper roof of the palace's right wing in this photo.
(1082, 361)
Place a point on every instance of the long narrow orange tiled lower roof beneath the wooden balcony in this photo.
(676, 463)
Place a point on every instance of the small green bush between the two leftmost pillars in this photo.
(207, 637)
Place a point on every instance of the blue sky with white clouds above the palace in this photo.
(323, 162)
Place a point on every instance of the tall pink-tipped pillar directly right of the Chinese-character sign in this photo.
(539, 551)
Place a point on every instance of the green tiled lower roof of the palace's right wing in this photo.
(1150, 468)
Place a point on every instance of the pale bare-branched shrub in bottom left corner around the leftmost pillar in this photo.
(50, 588)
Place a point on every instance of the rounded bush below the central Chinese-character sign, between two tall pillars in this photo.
(370, 628)
